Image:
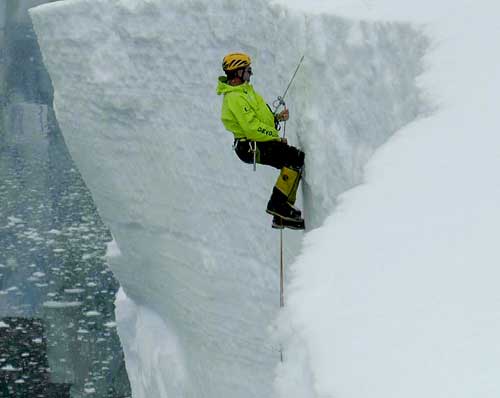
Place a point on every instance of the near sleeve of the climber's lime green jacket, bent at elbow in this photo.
(254, 129)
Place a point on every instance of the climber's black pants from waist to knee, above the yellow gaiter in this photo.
(271, 153)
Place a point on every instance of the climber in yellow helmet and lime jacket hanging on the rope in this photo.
(257, 139)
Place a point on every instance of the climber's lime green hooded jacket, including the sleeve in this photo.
(245, 113)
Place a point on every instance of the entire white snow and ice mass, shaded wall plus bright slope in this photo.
(395, 291)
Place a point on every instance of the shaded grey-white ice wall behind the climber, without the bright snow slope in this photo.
(135, 98)
